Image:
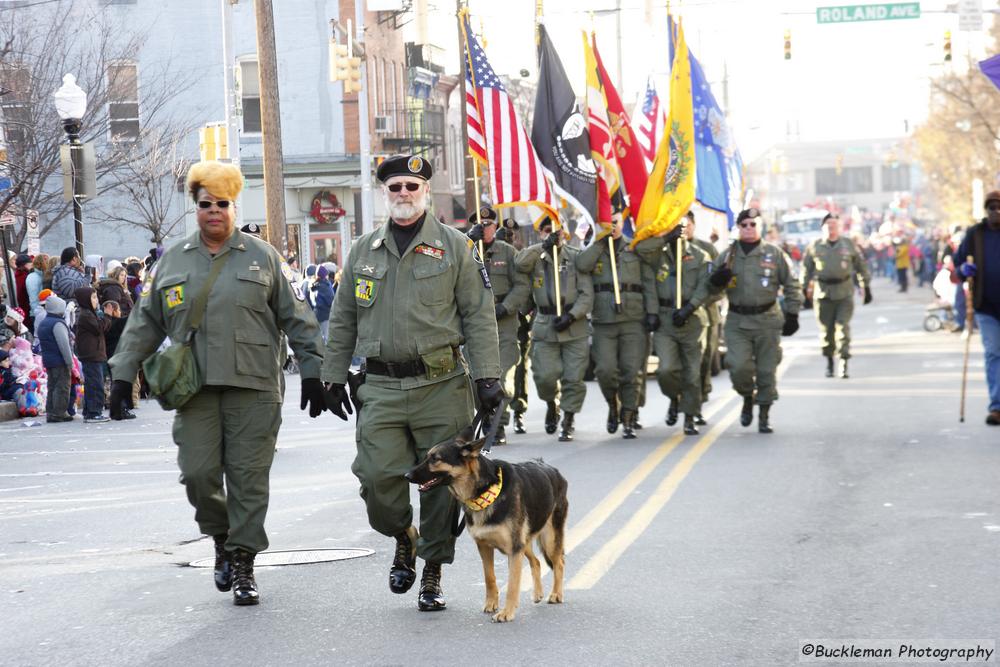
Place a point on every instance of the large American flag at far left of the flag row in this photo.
(497, 137)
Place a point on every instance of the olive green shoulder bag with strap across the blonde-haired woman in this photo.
(172, 374)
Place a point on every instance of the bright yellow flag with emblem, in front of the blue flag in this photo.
(670, 190)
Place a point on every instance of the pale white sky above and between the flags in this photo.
(844, 81)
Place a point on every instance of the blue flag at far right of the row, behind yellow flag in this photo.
(719, 167)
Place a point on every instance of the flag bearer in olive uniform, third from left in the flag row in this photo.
(619, 340)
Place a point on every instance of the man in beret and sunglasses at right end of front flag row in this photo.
(751, 272)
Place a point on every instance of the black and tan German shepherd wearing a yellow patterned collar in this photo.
(507, 506)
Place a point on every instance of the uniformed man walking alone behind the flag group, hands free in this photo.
(833, 263)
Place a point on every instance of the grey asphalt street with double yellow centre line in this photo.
(870, 514)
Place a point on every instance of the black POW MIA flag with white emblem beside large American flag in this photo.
(559, 133)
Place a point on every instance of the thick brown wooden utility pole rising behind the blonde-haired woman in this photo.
(270, 123)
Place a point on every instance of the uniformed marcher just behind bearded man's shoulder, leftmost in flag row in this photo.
(510, 291)
